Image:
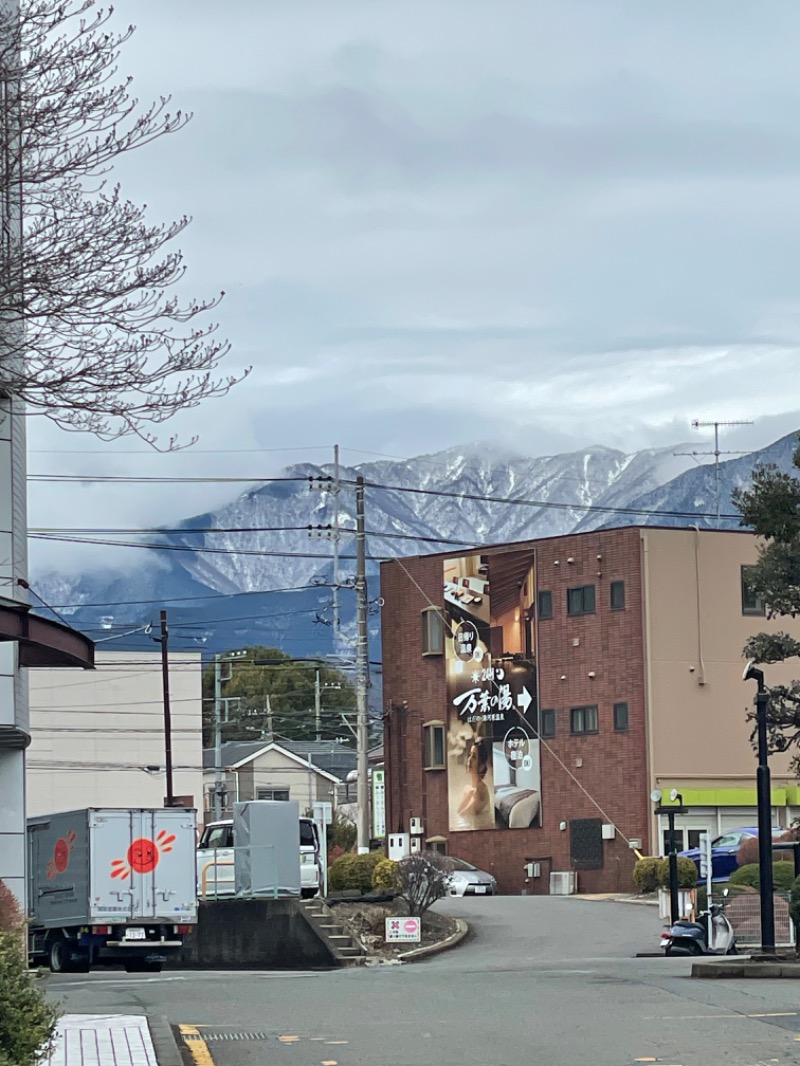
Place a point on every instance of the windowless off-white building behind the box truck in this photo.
(99, 736)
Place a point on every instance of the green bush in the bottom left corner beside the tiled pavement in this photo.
(27, 1020)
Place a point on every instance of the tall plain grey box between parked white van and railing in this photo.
(266, 859)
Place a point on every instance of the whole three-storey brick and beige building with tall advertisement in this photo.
(537, 693)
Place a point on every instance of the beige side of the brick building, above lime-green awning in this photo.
(698, 616)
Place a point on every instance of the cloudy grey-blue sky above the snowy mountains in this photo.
(548, 223)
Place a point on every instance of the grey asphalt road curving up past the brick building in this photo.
(542, 980)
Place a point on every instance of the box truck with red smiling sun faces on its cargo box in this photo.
(109, 885)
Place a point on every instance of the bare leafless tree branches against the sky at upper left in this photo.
(93, 333)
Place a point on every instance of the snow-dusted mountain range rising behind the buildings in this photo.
(259, 546)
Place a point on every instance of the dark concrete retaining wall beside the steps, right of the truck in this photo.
(253, 935)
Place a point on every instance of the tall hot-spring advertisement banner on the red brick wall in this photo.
(493, 757)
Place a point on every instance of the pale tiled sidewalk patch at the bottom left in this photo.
(99, 1040)
